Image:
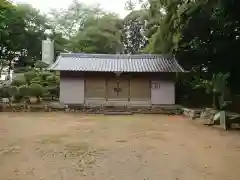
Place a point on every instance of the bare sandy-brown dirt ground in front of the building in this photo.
(59, 146)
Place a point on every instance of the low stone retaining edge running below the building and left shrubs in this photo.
(169, 110)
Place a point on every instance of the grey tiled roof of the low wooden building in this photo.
(115, 63)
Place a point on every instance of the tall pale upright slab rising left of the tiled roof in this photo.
(47, 51)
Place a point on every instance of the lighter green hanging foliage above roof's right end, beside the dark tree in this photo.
(163, 30)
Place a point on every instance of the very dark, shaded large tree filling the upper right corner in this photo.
(210, 39)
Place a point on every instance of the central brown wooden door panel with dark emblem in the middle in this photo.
(118, 89)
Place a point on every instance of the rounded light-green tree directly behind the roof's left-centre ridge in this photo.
(99, 35)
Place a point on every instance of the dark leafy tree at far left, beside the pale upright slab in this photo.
(21, 27)
